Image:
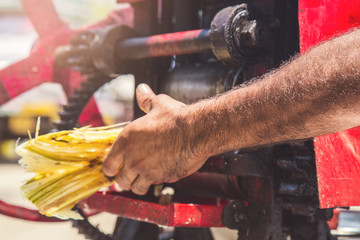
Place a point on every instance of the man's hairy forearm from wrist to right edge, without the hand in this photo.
(315, 94)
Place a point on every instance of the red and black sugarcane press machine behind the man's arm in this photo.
(193, 50)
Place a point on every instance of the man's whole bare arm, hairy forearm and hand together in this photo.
(315, 94)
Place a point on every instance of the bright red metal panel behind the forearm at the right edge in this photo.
(337, 155)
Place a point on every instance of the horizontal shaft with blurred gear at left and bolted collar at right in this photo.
(235, 38)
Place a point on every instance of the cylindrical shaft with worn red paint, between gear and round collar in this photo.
(193, 41)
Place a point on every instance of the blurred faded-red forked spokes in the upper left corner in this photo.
(37, 68)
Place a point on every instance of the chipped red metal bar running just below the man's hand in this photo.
(173, 215)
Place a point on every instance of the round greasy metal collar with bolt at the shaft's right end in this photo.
(237, 38)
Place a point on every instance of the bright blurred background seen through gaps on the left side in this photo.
(17, 36)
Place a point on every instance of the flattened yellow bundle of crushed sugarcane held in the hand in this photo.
(68, 167)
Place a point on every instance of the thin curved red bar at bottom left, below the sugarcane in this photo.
(24, 213)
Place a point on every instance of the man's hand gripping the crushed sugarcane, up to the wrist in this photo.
(155, 148)
